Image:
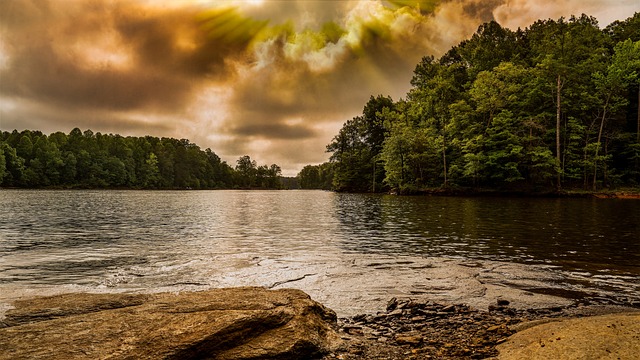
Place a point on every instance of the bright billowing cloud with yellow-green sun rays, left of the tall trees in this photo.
(296, 74)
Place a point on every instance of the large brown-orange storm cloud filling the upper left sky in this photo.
(161, 57)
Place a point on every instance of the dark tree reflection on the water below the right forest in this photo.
(580, 234)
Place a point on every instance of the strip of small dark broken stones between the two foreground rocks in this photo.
(430, 330)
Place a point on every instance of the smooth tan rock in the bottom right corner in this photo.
(615, 336)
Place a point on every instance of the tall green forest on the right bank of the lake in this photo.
(547, 108)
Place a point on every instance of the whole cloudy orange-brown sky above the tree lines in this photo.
(272, 79)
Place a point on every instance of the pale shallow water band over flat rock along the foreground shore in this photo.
(360, 283)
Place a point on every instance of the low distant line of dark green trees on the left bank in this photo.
(88, 160)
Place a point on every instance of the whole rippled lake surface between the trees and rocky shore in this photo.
(59, 241)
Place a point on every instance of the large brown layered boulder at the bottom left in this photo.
(236, 323)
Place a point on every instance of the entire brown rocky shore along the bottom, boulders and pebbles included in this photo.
(257, 323)
